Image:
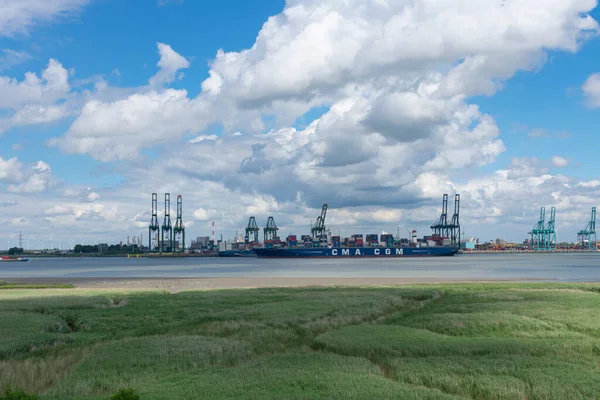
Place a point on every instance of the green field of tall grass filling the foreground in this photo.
(476, 341)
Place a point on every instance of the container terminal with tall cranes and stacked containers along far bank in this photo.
(445, 233)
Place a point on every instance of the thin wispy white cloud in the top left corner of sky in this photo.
(18, 16)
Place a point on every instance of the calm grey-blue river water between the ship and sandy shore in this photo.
(547, 267)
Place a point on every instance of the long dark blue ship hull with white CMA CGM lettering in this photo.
(356, 252)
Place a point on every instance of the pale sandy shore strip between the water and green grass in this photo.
(179, 284)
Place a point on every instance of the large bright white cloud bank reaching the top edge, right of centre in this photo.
(314, 45)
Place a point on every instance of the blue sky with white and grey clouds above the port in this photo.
(272, 108)
